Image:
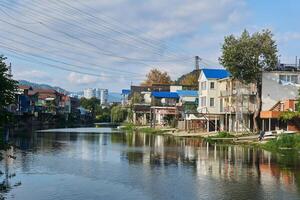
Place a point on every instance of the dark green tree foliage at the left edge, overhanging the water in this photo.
(8, 88)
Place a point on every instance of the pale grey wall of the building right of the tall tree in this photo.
(273, 91)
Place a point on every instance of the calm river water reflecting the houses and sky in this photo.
(101, 163)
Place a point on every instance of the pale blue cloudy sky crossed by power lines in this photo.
(113, 43)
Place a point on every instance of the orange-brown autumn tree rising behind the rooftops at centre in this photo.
(155, 76)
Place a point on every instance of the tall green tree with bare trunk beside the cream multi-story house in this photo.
(246, 57)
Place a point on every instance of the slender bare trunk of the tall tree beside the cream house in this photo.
(256, 124)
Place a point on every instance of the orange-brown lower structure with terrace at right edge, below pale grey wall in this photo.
(271, 118)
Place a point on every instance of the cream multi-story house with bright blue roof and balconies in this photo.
(225, 103)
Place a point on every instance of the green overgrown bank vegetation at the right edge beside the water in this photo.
(283, 142)
